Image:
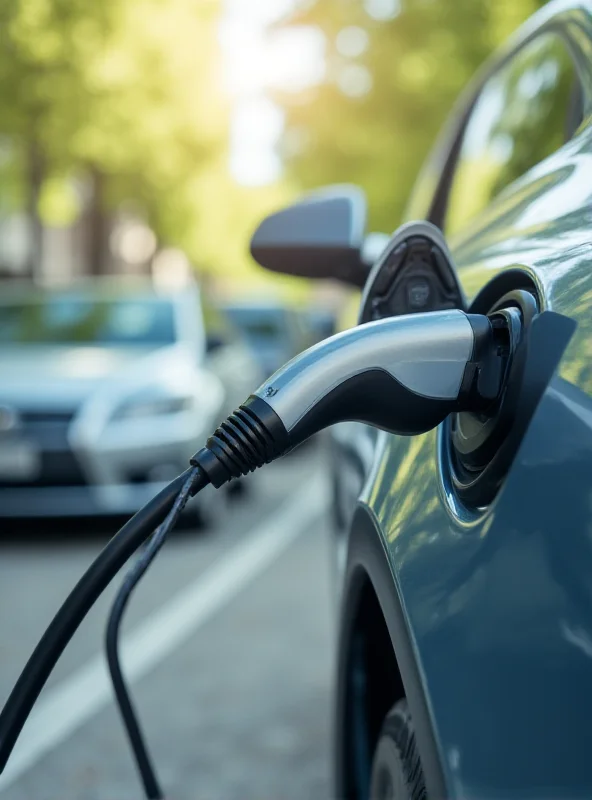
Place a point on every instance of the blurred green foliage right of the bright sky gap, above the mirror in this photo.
(419, 61)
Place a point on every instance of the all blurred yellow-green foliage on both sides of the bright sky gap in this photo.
(131, 91)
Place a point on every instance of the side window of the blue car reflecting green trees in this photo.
(524, 112)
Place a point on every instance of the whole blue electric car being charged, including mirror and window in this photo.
(464, 663)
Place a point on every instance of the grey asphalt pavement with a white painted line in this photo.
(228, 641)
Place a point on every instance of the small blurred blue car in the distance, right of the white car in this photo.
(275, 332)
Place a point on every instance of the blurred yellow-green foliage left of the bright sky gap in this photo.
(130, 90)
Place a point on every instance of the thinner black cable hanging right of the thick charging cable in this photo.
(129, 715)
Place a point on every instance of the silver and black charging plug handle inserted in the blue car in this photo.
(403, 375)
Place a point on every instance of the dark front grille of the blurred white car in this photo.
(48, 431)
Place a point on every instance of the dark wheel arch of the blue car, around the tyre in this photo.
(375, 648)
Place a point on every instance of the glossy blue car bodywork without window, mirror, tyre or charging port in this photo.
(481, 616)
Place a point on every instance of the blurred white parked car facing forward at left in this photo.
(105, 393)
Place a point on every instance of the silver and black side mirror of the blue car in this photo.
(321, 236)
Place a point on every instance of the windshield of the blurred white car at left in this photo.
(61, 319)
